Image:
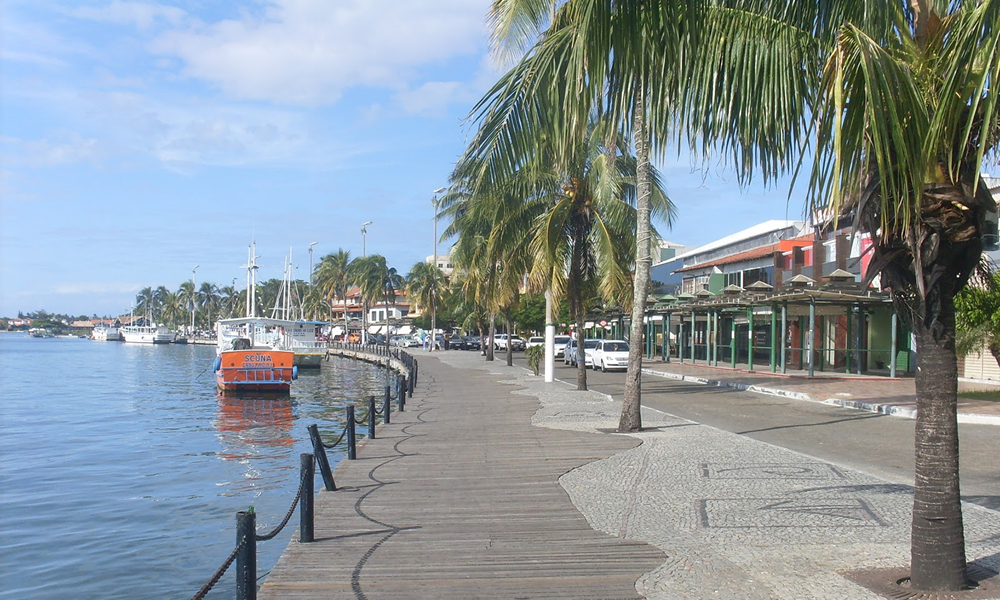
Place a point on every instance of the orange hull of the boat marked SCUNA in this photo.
(255, 371)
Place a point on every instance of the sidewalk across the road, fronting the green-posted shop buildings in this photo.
(872, 393)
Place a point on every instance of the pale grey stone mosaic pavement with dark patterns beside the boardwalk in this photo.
(737, 518)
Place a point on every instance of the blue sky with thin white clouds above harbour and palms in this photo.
(140, 139)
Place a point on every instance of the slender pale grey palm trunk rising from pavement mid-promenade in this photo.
(631, 417)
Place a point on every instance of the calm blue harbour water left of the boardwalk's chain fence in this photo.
(121, 470)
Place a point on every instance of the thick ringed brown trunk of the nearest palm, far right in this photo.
(937, 541)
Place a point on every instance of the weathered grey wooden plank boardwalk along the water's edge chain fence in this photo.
(459, 498)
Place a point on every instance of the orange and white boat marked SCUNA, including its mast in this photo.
(252, 355)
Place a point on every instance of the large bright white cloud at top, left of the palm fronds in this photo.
(308, 52)
